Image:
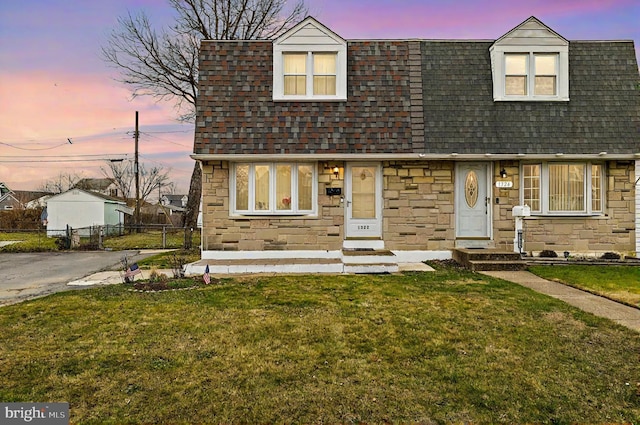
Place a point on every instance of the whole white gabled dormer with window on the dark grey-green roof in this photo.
(530, 63)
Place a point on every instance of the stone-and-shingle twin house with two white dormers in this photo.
(312, 145)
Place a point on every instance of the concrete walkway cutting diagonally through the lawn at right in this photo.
(599, 306)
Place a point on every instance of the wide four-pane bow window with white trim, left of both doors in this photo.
(274, 189)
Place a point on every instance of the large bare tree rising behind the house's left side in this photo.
(163, 63)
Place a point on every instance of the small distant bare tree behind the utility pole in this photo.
(123, 176)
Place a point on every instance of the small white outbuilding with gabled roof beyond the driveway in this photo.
(81, 209)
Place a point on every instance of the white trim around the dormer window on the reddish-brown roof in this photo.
(309, 37)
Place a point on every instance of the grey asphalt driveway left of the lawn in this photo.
(31, 275)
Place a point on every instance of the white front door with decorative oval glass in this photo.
(473, 203)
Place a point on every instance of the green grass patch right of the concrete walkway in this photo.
(620, 283)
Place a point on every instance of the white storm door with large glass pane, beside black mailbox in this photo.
(363, 201)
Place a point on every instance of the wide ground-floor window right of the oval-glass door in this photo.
(563, 188)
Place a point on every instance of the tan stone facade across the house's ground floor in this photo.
(418, 214)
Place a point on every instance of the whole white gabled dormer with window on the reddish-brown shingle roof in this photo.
(310, 64)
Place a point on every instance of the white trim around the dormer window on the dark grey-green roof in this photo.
(530, 38)
